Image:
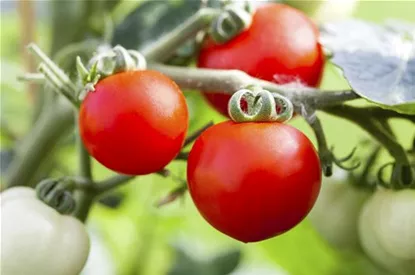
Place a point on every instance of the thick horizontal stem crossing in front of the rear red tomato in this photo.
(230, 81)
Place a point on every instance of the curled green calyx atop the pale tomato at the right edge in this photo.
(402, 176)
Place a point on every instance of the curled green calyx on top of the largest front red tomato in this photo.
(261, 106)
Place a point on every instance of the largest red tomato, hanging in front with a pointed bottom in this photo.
(253, 181)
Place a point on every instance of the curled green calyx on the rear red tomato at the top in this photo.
(232, 21)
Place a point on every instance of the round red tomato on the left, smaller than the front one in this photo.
(134, 122)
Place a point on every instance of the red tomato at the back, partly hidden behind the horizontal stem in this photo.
(281, 46)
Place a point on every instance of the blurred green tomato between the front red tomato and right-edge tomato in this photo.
(336, 212)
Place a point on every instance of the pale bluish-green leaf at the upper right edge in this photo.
(378, 61)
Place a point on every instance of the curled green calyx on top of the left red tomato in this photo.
(106, 63)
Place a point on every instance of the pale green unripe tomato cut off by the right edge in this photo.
(387, 230)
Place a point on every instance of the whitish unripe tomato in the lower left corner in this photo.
(38, 240)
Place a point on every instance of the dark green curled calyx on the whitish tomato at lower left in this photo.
(56, 194)
